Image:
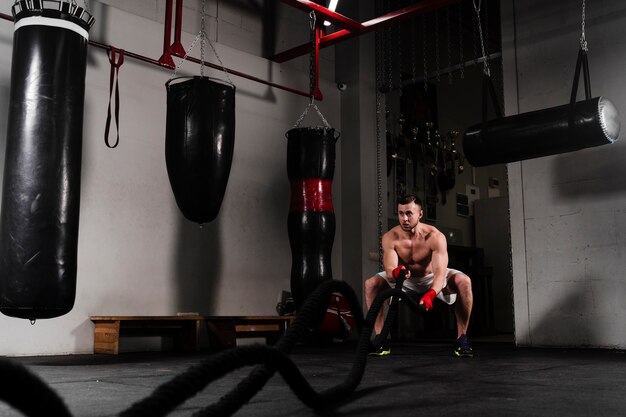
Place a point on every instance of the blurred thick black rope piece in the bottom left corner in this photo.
(27, 393)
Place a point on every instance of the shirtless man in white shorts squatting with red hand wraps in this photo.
(421, 249)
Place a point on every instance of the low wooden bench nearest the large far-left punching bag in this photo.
(108, 329)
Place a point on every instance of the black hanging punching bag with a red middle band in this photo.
(311, 221)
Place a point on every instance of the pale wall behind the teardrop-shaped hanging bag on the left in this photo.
(137, 253)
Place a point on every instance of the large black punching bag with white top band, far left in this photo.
(41, 189)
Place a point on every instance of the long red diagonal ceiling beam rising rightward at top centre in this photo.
(388, 19)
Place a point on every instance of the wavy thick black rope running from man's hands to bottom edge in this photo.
(173, 393)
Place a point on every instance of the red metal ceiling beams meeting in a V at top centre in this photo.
(352, 29)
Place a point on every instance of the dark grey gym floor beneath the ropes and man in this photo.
(417, 379)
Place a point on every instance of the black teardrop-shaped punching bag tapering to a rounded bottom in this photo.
(199, 144)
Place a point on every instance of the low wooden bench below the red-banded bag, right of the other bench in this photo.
(224, 330)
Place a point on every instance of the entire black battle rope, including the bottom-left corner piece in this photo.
(173, 393)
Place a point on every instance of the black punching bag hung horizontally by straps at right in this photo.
(551, 131)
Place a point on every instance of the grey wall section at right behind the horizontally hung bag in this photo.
(567, 211)
